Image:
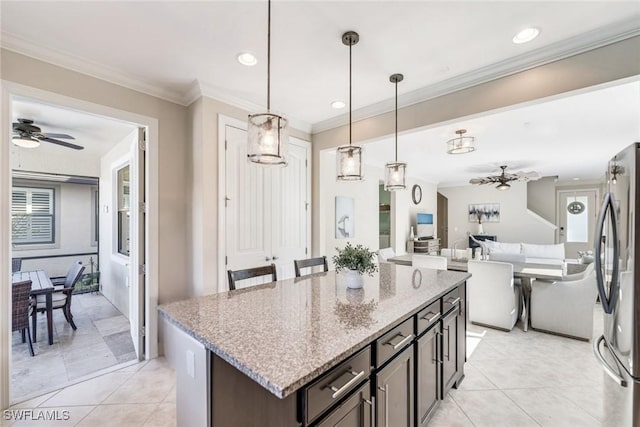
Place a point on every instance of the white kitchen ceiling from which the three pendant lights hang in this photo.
(180, 50)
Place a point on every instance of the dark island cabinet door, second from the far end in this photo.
(427, 373)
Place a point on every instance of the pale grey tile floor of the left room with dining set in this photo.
(102, 340)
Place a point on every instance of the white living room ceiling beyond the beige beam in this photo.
(569, 137)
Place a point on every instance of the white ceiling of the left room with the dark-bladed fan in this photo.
(96, 134)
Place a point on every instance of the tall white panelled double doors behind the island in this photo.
(266, 214)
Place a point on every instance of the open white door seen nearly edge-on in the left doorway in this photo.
(138, 242)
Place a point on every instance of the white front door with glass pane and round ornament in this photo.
(577, 216)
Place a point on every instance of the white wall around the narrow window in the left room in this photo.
(114, 267)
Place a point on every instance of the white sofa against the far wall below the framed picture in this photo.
(524, 252)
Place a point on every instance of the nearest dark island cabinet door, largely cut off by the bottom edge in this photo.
(353, 412)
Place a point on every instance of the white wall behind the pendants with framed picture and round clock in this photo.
(366, 194)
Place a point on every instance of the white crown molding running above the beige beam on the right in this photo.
(560, 50)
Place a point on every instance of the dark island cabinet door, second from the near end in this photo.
(394, 392)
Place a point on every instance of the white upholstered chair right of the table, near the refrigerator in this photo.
(565, 307)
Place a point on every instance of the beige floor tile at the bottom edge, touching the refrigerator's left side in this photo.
(549, 408)
